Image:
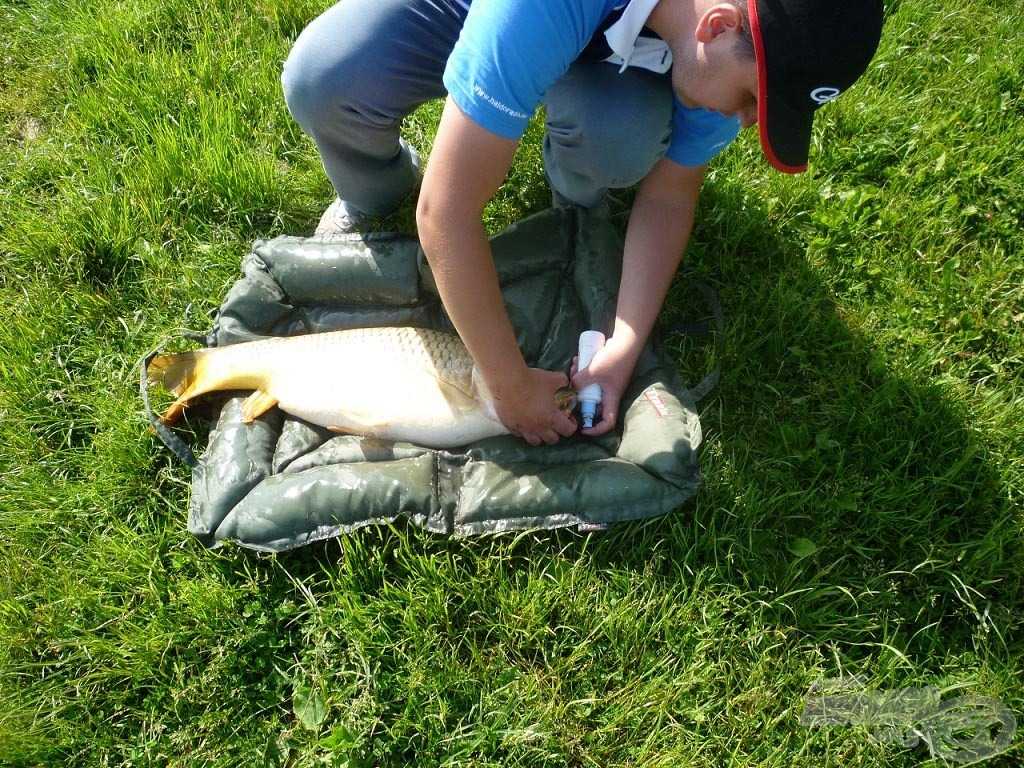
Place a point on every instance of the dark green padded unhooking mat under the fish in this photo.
(280, 483)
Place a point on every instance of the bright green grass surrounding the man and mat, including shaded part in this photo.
(862, 510)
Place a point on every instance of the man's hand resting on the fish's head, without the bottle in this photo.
(527, 406)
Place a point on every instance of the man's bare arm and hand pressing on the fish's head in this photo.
(467, 165)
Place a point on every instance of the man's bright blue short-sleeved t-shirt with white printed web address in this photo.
(510, 52)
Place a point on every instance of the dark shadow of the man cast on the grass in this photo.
(855, 505)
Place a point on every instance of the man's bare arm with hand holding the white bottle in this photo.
(659, 231)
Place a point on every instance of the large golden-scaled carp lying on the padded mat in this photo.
(412, 385)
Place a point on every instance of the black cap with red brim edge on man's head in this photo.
(808, 53)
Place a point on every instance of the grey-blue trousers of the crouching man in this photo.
(362, 67)
